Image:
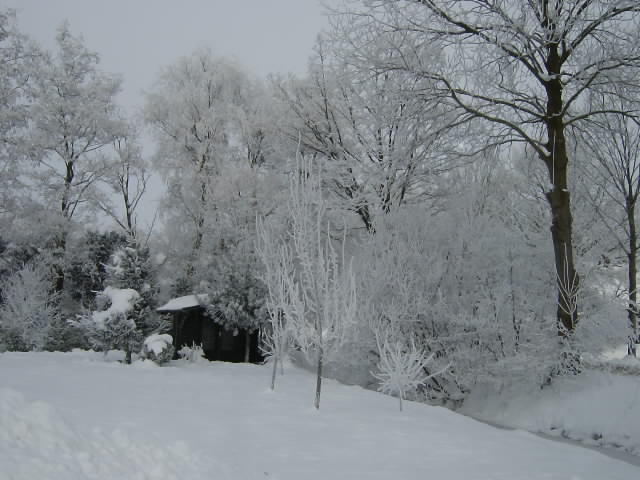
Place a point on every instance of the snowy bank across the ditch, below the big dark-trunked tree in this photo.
(595, 407)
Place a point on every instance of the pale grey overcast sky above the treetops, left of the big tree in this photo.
(137, 37)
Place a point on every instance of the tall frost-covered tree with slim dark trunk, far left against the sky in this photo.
(73, 115)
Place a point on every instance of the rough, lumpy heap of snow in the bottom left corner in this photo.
(36, 442)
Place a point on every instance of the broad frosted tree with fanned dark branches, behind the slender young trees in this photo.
(382, 142)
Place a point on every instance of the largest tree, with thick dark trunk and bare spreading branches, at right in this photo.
(524, 67)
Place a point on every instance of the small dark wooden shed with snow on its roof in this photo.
(190, 324)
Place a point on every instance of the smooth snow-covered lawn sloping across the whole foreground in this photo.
(75, 416)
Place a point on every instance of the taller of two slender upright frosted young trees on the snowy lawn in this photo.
(320, 301)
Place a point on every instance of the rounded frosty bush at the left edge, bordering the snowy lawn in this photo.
(28, 309)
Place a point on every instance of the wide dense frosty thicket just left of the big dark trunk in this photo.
(466, 289)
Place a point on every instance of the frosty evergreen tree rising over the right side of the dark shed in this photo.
(229, 269)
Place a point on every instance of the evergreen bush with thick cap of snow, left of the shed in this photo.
(112, 326)
